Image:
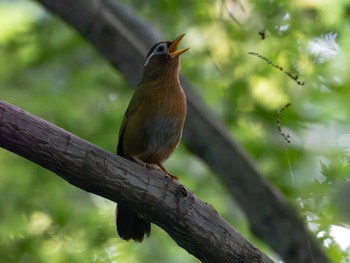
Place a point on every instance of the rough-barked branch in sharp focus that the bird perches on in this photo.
(193, 224)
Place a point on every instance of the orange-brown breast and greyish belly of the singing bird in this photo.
(156, 129)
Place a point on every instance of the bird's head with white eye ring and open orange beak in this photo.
(163, 59)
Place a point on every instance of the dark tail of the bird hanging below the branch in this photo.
(130, 225)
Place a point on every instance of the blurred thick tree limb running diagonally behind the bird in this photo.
(123, 38)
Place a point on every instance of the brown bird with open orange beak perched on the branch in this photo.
(152, 124)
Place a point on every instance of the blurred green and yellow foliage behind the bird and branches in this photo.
(47, 69)
